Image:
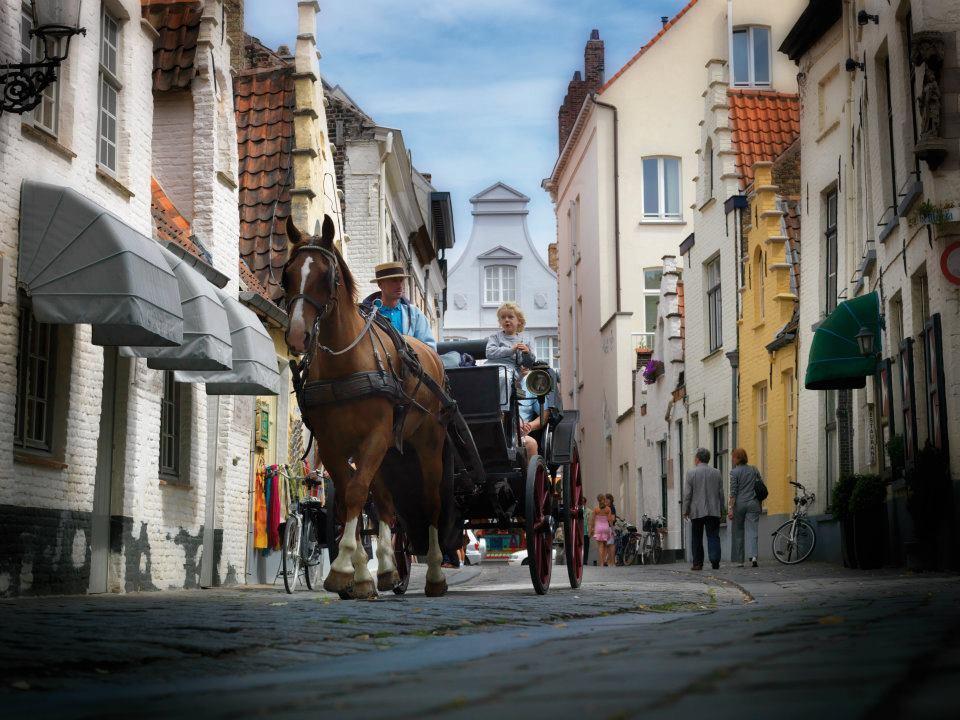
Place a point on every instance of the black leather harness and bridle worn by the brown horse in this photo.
(385, 381)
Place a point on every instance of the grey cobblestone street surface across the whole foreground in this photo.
(641, 641)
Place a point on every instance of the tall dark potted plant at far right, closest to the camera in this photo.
(927, 493)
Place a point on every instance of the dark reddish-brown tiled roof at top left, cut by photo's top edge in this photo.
(178, 24)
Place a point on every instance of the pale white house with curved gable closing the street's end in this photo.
(500, 264)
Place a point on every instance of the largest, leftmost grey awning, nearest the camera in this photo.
(82, 265)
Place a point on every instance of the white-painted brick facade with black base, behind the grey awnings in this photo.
(146, 533)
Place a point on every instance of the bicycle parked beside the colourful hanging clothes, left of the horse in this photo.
(302, 551)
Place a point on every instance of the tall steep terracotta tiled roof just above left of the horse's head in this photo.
(264, 100)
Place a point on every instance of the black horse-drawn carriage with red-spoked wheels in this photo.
(495, 486)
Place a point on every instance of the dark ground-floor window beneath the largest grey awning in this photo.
(36, 370)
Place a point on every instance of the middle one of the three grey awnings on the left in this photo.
(206, 329)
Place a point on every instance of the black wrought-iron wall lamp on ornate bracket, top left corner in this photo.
(54, 22)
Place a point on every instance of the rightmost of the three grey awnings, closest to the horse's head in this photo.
(255, 370)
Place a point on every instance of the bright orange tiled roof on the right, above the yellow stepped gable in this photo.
(765, 123)
